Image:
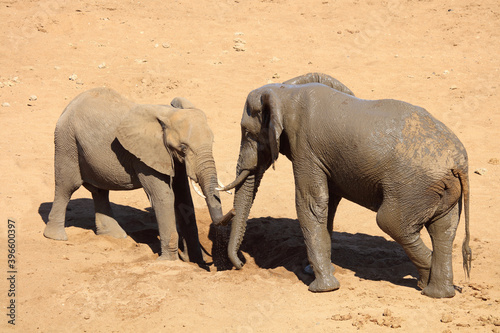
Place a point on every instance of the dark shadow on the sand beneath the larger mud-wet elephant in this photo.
(278, 242)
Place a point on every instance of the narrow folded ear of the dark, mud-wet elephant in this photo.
(271, 108)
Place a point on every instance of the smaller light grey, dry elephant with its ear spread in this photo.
(105, 142)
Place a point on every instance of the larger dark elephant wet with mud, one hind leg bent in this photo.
(386, 155)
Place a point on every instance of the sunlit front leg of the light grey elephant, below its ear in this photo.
(159, 189)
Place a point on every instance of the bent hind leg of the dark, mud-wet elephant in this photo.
(406, 231)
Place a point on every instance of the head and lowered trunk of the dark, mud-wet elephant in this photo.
(261, 128)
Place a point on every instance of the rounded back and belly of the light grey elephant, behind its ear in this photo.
(90, 121)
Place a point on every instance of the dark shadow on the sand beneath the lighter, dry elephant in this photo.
(140, 225)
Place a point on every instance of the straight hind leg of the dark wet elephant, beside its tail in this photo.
(442, 232)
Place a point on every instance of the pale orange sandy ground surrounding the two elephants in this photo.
(443, 57)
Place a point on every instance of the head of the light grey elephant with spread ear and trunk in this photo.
(161, 136)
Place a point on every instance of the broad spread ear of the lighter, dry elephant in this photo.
(141, 133)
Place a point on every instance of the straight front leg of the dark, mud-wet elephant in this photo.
(312, 203)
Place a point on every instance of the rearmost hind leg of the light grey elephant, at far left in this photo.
(67, 181)
